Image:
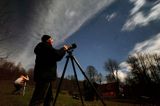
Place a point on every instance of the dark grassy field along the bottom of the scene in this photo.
(7, 99)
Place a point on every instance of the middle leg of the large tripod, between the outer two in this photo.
(75, 74)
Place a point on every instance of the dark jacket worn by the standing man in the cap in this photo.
(46, 61)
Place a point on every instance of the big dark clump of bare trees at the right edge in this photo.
(143, 80)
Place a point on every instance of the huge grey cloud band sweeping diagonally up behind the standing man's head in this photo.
(59, 18)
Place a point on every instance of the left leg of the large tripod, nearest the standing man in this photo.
(59, 85)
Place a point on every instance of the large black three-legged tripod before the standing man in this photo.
(73, 59)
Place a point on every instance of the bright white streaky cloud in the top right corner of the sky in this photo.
(138, 17)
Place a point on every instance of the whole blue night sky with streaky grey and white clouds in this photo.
(102, 29)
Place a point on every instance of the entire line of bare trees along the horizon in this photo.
(143, 77)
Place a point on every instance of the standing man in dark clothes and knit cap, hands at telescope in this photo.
(45, 70)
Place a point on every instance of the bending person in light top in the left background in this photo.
(20, 83)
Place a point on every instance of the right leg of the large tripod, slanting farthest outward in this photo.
(88, 80)
